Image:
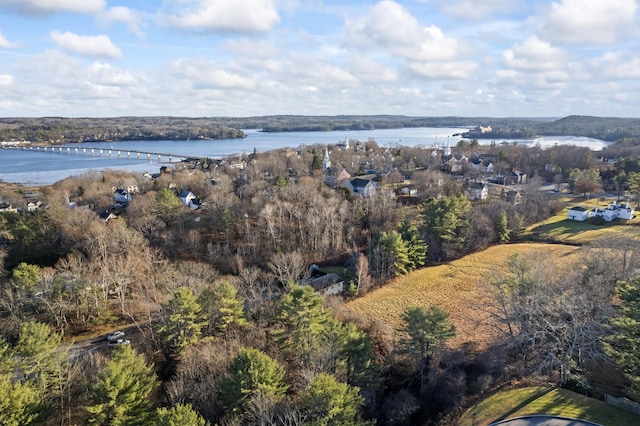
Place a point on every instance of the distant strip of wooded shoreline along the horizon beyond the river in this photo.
(63, 130)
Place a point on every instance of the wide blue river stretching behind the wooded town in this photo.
(33, 168)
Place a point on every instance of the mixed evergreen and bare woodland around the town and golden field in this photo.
(223, 315)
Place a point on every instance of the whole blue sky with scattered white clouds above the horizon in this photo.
(497, 58)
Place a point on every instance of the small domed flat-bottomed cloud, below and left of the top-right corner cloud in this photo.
(534, 55)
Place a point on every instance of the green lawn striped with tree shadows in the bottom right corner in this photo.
(545, 400)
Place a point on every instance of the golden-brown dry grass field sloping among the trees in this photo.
(456, 287)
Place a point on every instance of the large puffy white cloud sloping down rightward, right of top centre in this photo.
(389, 25)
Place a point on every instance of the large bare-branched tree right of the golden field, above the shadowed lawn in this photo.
(552, 316)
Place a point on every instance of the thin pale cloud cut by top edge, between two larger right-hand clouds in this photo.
(478, 9)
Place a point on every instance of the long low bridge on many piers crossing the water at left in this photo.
(101, 152)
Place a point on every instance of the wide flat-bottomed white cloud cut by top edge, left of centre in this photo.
(221, 15)
